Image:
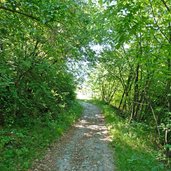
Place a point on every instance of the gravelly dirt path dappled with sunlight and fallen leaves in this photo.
(83, 148)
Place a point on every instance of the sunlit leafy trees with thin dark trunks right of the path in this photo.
(133, 71)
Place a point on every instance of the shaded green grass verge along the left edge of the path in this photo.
(20, 146)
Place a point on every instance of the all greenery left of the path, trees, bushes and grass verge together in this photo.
(37, 88)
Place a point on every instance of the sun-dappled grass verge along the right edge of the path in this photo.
(133, 144)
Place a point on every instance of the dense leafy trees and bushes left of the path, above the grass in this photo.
(36, 40)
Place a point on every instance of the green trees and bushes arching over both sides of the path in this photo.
(133, 71)
